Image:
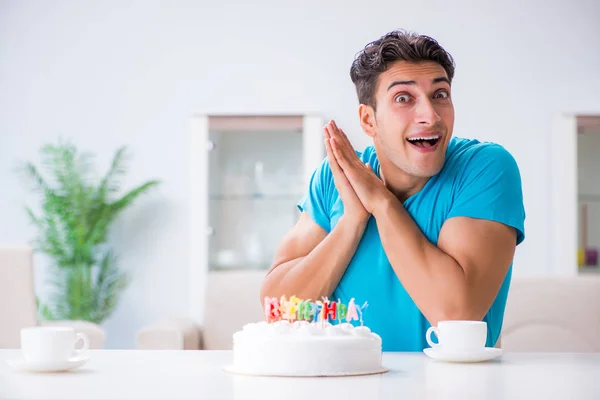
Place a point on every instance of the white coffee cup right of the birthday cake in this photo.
(458, 336)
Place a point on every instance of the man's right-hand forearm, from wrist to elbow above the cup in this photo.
(434, 280)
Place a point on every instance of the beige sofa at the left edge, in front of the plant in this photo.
(17, 301)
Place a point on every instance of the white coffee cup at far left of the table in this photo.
(48, 344)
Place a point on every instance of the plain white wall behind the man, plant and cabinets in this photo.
(123, 72)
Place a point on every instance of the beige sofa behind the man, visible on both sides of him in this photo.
(543, 314)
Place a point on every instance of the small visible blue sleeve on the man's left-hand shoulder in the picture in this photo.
(317, 200)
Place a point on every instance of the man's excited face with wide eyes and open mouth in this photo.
(414, 117)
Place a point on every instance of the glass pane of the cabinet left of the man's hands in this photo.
(255, 184)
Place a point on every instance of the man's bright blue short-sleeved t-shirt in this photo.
(478, 180)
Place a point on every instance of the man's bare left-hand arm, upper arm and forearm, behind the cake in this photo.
(310, 263)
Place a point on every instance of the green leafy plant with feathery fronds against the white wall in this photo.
(77, 211)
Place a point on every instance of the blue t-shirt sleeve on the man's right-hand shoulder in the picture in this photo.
(490, 188)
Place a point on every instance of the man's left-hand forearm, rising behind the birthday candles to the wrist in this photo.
(319, 273)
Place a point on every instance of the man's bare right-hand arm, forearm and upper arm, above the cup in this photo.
(457, 279)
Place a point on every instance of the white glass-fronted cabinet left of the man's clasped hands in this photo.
(247, 174)
